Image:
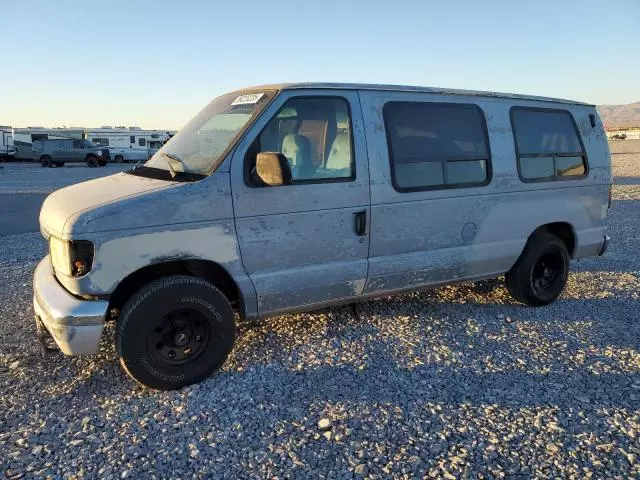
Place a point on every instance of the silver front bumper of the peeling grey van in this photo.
(75, 325)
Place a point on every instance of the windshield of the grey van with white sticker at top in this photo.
(197, 147)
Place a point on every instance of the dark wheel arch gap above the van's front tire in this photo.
(204, 269)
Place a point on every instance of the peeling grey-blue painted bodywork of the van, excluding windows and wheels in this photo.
(294, 247)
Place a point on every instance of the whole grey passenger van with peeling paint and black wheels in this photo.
(294, 197)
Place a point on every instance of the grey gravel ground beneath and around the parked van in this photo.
(454, 382)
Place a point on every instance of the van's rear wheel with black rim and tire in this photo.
(540, 274)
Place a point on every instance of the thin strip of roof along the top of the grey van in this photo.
(409, 88)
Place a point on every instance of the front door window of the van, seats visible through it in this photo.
(314, 135)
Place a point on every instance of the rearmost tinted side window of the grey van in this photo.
(548, 145)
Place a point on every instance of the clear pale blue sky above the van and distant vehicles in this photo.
(155, 64)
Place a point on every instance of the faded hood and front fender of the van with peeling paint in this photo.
(134, 222)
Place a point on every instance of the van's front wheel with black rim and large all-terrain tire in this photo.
(175, 331)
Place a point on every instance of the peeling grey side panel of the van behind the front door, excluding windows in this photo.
(416, 237)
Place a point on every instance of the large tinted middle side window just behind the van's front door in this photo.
(436, 145)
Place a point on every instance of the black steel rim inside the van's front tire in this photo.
(179, 337)
